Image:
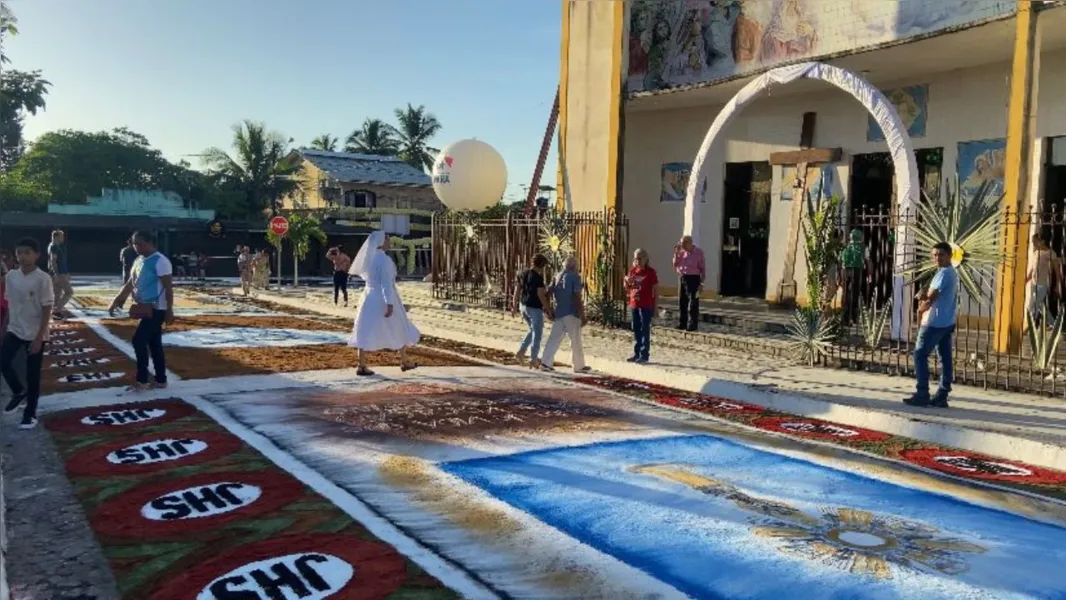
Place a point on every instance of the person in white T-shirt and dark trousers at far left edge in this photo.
(30, 301)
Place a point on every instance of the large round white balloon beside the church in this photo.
(470, 175)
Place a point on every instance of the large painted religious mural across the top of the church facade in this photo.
(688, 42)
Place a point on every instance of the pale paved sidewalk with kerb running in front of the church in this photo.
(757, 370)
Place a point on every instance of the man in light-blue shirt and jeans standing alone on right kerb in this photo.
(936, 309)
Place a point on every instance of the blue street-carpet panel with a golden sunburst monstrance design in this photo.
(718, 520)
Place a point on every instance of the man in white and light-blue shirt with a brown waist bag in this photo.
(152, 285)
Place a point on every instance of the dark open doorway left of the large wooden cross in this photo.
(746, 230)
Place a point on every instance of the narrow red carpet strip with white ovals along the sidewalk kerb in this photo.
(957, 463)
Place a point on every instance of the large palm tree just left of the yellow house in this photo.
(262, 166)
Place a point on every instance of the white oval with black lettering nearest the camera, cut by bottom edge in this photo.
(302, 582)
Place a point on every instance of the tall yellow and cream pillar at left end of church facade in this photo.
(592, 92)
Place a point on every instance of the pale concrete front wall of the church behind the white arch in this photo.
(963, 106)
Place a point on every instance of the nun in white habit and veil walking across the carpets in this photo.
(381, 321)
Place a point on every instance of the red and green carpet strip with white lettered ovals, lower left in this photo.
(185, 510)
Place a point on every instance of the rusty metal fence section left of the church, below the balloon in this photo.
(477, 262)
